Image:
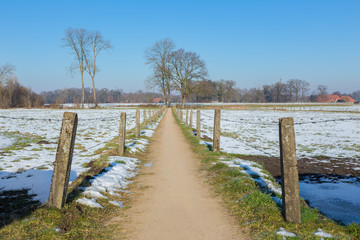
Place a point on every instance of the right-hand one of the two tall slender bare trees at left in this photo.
(96, 44)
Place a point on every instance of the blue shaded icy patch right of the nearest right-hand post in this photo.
(337, 198)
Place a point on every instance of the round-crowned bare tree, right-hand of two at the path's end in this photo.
(186, 68)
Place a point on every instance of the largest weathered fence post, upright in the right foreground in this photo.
(289, 171)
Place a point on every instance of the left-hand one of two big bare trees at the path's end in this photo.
(158, 56)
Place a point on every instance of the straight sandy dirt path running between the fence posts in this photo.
(176, 204)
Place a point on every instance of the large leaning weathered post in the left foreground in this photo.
(62, 164)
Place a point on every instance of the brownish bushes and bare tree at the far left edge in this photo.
(13, 94)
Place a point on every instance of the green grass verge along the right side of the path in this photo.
(256, 212)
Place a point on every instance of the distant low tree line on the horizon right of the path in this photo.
(293, 90)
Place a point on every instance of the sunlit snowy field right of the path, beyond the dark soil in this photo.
(255, 132)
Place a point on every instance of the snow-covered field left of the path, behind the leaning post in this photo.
(28, 142)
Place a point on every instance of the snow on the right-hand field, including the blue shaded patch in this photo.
(318, 133)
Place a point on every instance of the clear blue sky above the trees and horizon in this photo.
(250, 42)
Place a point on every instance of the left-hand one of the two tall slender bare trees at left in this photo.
(78, 40)
